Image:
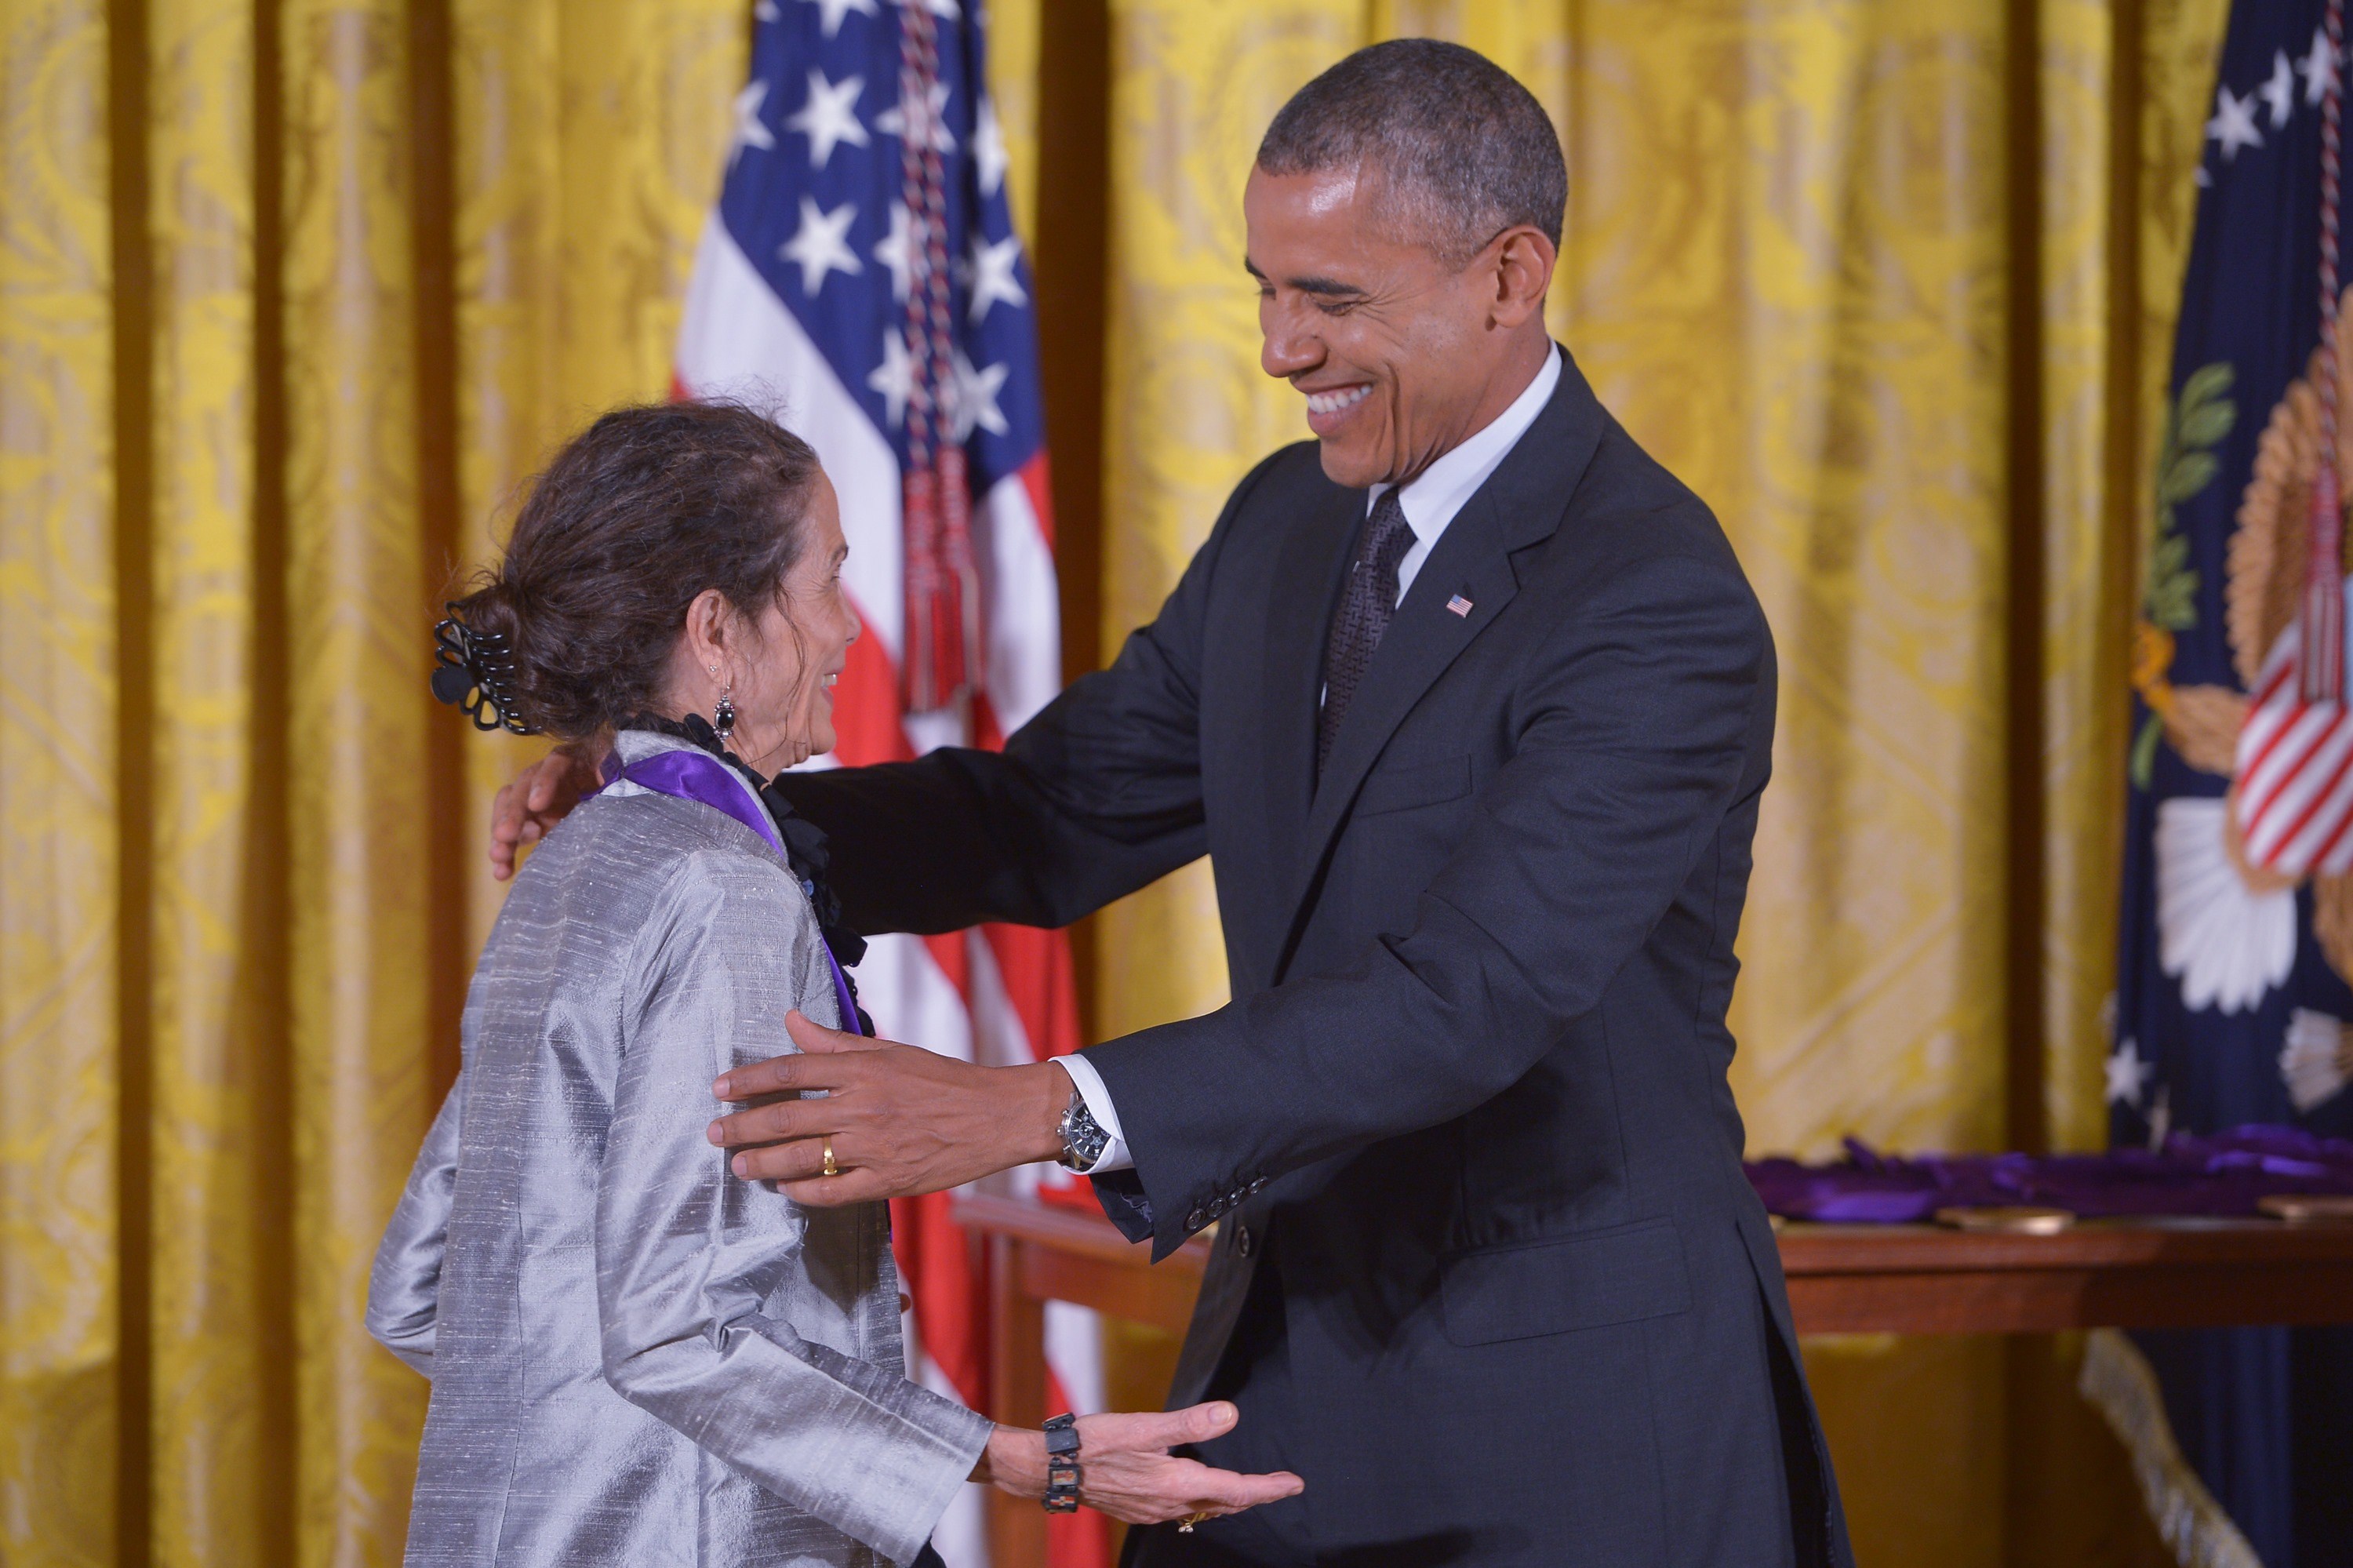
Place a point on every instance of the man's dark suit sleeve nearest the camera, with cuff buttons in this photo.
(1637, 731)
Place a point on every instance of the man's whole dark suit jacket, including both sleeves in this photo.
(1469, 1098)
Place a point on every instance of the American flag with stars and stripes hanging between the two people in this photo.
(862, 277)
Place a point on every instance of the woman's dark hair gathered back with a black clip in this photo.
(636, 517)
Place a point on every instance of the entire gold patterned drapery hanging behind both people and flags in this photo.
(295, 295)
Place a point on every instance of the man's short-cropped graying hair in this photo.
(1467, 150)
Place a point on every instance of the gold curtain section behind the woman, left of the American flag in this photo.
(288, 293)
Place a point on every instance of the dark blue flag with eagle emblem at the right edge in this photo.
(2237, 938)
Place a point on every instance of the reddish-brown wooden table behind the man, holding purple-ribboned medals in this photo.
(1909, 1280)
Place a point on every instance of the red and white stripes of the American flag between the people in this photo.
(992, 995)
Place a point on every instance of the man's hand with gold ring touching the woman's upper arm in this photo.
(900, 1119)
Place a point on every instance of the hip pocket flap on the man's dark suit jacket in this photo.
(1533, 1289)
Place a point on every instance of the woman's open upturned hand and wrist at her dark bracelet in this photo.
(1126, 1468)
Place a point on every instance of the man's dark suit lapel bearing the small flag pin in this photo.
(1521, 505)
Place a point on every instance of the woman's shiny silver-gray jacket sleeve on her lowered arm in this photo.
(688, 1258)
